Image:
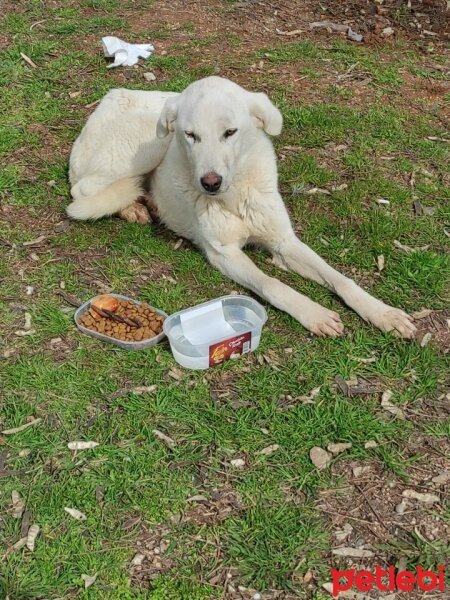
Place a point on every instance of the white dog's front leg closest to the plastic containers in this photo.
(232, 262)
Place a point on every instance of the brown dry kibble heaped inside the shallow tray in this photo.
(122, 319)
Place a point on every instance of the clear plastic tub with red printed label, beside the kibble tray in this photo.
(210, 333)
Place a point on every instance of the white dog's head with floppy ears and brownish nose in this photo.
(217, 124)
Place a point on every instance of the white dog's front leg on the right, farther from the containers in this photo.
(297, 256)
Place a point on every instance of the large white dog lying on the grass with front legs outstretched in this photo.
(213, 179)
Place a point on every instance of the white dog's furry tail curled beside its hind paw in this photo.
(105, 202)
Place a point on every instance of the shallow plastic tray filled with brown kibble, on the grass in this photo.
(122, 321)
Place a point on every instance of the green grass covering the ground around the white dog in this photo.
(273, 541)
